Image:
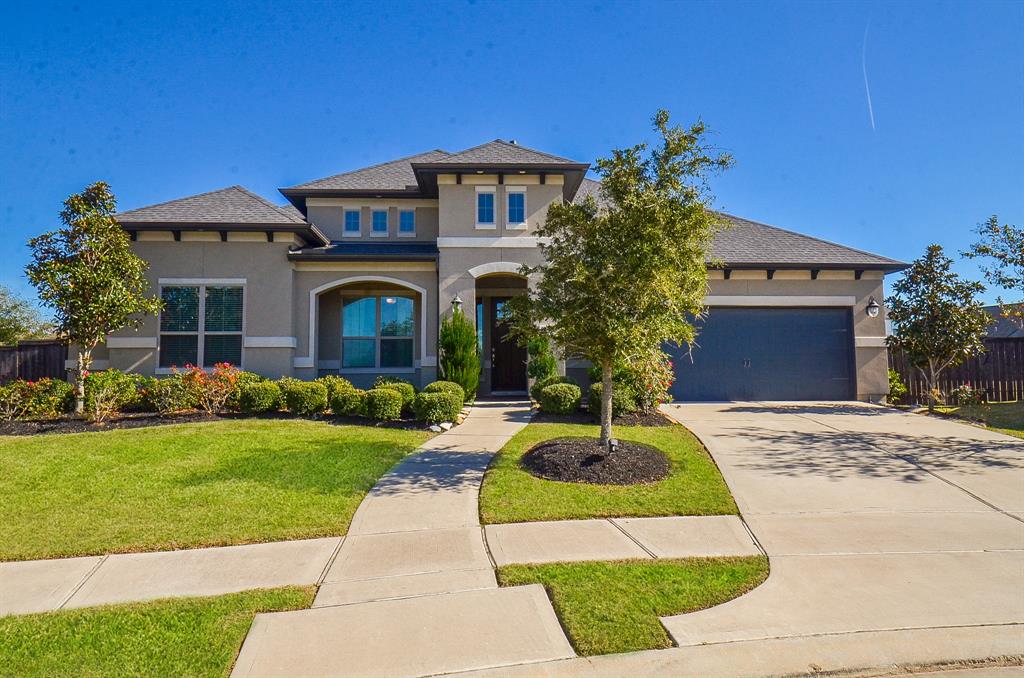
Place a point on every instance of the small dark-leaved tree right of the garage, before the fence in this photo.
(937, 319)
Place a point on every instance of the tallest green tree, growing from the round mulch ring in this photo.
(622, 278)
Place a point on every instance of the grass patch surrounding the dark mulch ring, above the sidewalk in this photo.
(694, 488)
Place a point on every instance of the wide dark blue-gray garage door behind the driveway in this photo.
(769, 355)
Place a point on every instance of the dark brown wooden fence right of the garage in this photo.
(1000, 371)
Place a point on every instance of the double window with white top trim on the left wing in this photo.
(201, 325)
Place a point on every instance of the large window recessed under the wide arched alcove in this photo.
(377, 332)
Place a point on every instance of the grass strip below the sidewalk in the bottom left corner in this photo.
(176, 638)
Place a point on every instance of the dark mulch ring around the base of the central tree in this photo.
(584, 460)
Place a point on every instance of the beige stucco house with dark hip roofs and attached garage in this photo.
(354, 276)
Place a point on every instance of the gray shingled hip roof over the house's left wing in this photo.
(234, 205)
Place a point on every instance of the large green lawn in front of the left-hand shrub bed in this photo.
(188, 485)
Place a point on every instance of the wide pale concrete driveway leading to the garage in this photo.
(875, 521)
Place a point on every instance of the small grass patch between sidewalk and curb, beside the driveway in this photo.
(615, 607)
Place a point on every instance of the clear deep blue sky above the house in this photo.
(168, 100)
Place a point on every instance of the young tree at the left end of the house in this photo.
(89, 275)
